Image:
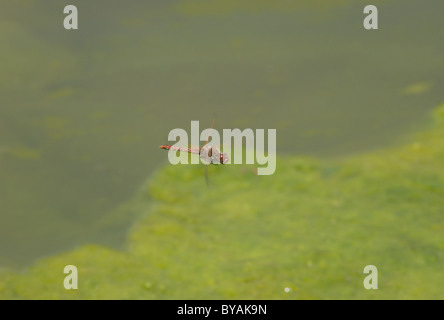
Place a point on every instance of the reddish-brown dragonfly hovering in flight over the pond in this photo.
(208, 154)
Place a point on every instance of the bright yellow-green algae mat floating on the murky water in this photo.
(311, 227)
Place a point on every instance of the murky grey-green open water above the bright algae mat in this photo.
(82, 112)
